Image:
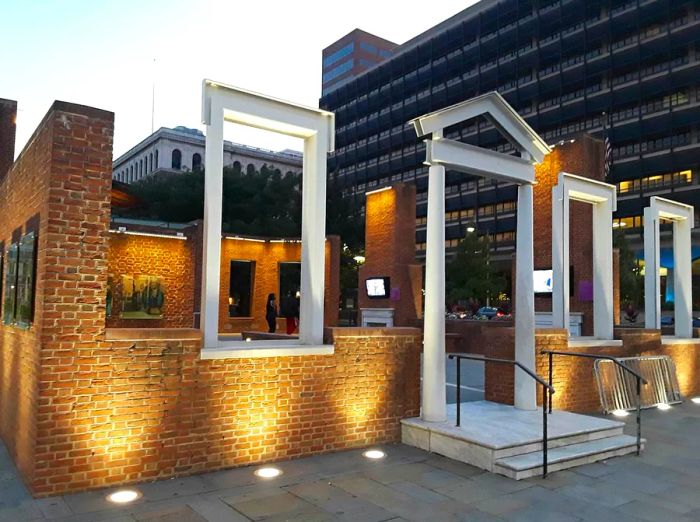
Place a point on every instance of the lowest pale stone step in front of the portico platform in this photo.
(563, 457)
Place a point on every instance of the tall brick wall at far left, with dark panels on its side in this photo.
(58, 187)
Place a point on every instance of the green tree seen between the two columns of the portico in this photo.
(470, 274)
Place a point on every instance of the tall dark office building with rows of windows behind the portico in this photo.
(626, 69)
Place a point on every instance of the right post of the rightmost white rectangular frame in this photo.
(683, 279)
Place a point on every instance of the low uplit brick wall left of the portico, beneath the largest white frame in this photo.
(157, 410)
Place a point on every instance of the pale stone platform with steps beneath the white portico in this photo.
(505, 440)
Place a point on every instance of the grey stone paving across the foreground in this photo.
(661, 485)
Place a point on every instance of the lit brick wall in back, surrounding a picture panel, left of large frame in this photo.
(171, 259)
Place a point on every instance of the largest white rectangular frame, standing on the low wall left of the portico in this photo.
(223, 103)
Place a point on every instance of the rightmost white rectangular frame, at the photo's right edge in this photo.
(683, 218)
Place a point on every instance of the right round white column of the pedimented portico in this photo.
(525, 390)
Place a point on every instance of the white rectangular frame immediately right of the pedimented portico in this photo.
(603, 198)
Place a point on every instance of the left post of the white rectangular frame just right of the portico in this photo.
(560, 258)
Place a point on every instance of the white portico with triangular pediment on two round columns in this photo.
(442, 153)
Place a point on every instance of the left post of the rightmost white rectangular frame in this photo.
(652, 261)
